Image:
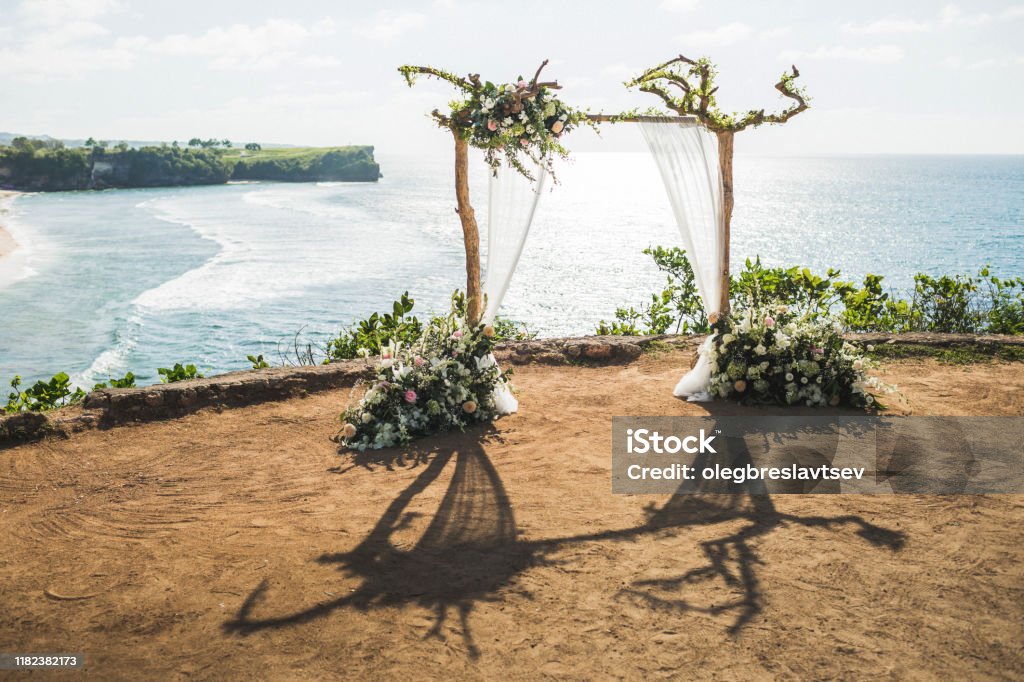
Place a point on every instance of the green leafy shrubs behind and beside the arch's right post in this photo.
(961, 305)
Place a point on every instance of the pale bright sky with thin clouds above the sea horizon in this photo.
(908, 77)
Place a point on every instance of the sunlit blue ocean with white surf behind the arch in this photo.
(133, 280)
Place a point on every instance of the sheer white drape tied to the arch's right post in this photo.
(687, 155)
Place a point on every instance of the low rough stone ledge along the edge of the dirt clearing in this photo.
(122, 406)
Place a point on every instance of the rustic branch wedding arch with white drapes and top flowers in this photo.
(520, 127)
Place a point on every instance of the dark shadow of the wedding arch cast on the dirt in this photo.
(472, 549)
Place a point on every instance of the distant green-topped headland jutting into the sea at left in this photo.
(50, 166)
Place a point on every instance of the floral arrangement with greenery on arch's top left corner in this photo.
(508, 120)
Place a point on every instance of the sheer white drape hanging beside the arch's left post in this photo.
(511, 203)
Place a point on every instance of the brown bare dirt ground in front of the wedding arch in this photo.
(243, 545)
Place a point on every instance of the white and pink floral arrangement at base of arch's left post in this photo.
(444, 381)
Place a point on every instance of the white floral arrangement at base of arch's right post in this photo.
(769, 355)
